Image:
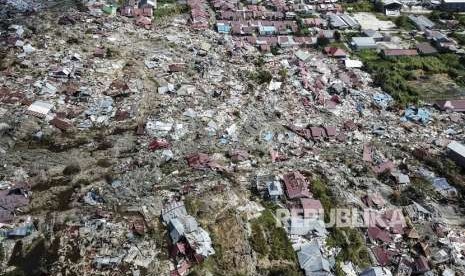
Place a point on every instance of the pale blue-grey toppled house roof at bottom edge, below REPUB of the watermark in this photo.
(312, 261)
